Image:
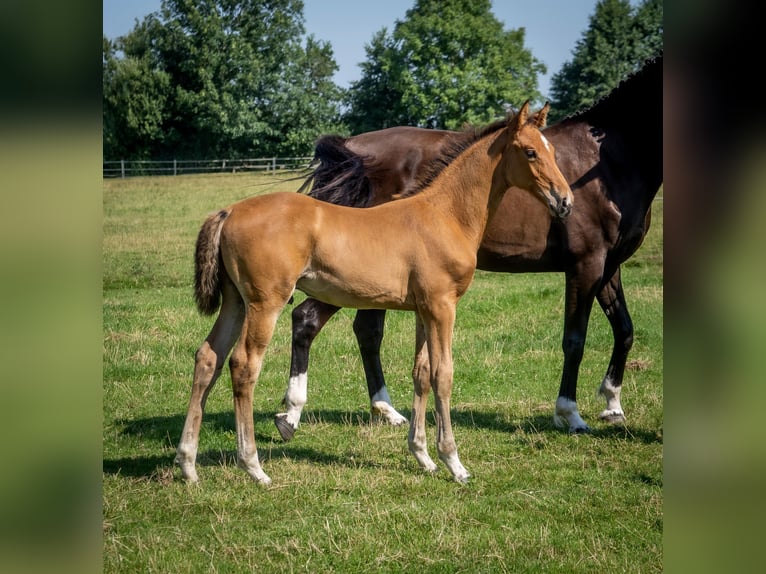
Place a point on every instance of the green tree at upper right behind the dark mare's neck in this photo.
(617, 42)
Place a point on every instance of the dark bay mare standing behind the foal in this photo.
(611, 154)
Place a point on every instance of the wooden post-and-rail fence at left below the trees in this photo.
(128, 168)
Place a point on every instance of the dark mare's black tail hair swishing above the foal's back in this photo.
(340, 177)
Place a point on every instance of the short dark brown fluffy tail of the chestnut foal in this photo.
(207, 264)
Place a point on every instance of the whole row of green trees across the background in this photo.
(241, 78)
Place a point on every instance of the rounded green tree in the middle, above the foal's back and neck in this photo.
(447, 63)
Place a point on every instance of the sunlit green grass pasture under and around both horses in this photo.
(347, 495)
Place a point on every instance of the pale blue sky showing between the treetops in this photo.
(552, 26)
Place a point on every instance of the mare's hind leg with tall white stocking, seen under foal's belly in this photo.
(308, 319)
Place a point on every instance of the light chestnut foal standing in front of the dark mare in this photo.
(416, 254)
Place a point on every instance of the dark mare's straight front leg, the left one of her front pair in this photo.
(580, 292)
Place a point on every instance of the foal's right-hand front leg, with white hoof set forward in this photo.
(439, 320)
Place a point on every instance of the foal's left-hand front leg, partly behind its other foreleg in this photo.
(421, 379)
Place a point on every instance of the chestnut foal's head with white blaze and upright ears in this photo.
(530, 162)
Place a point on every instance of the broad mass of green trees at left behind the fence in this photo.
(238, 80)
